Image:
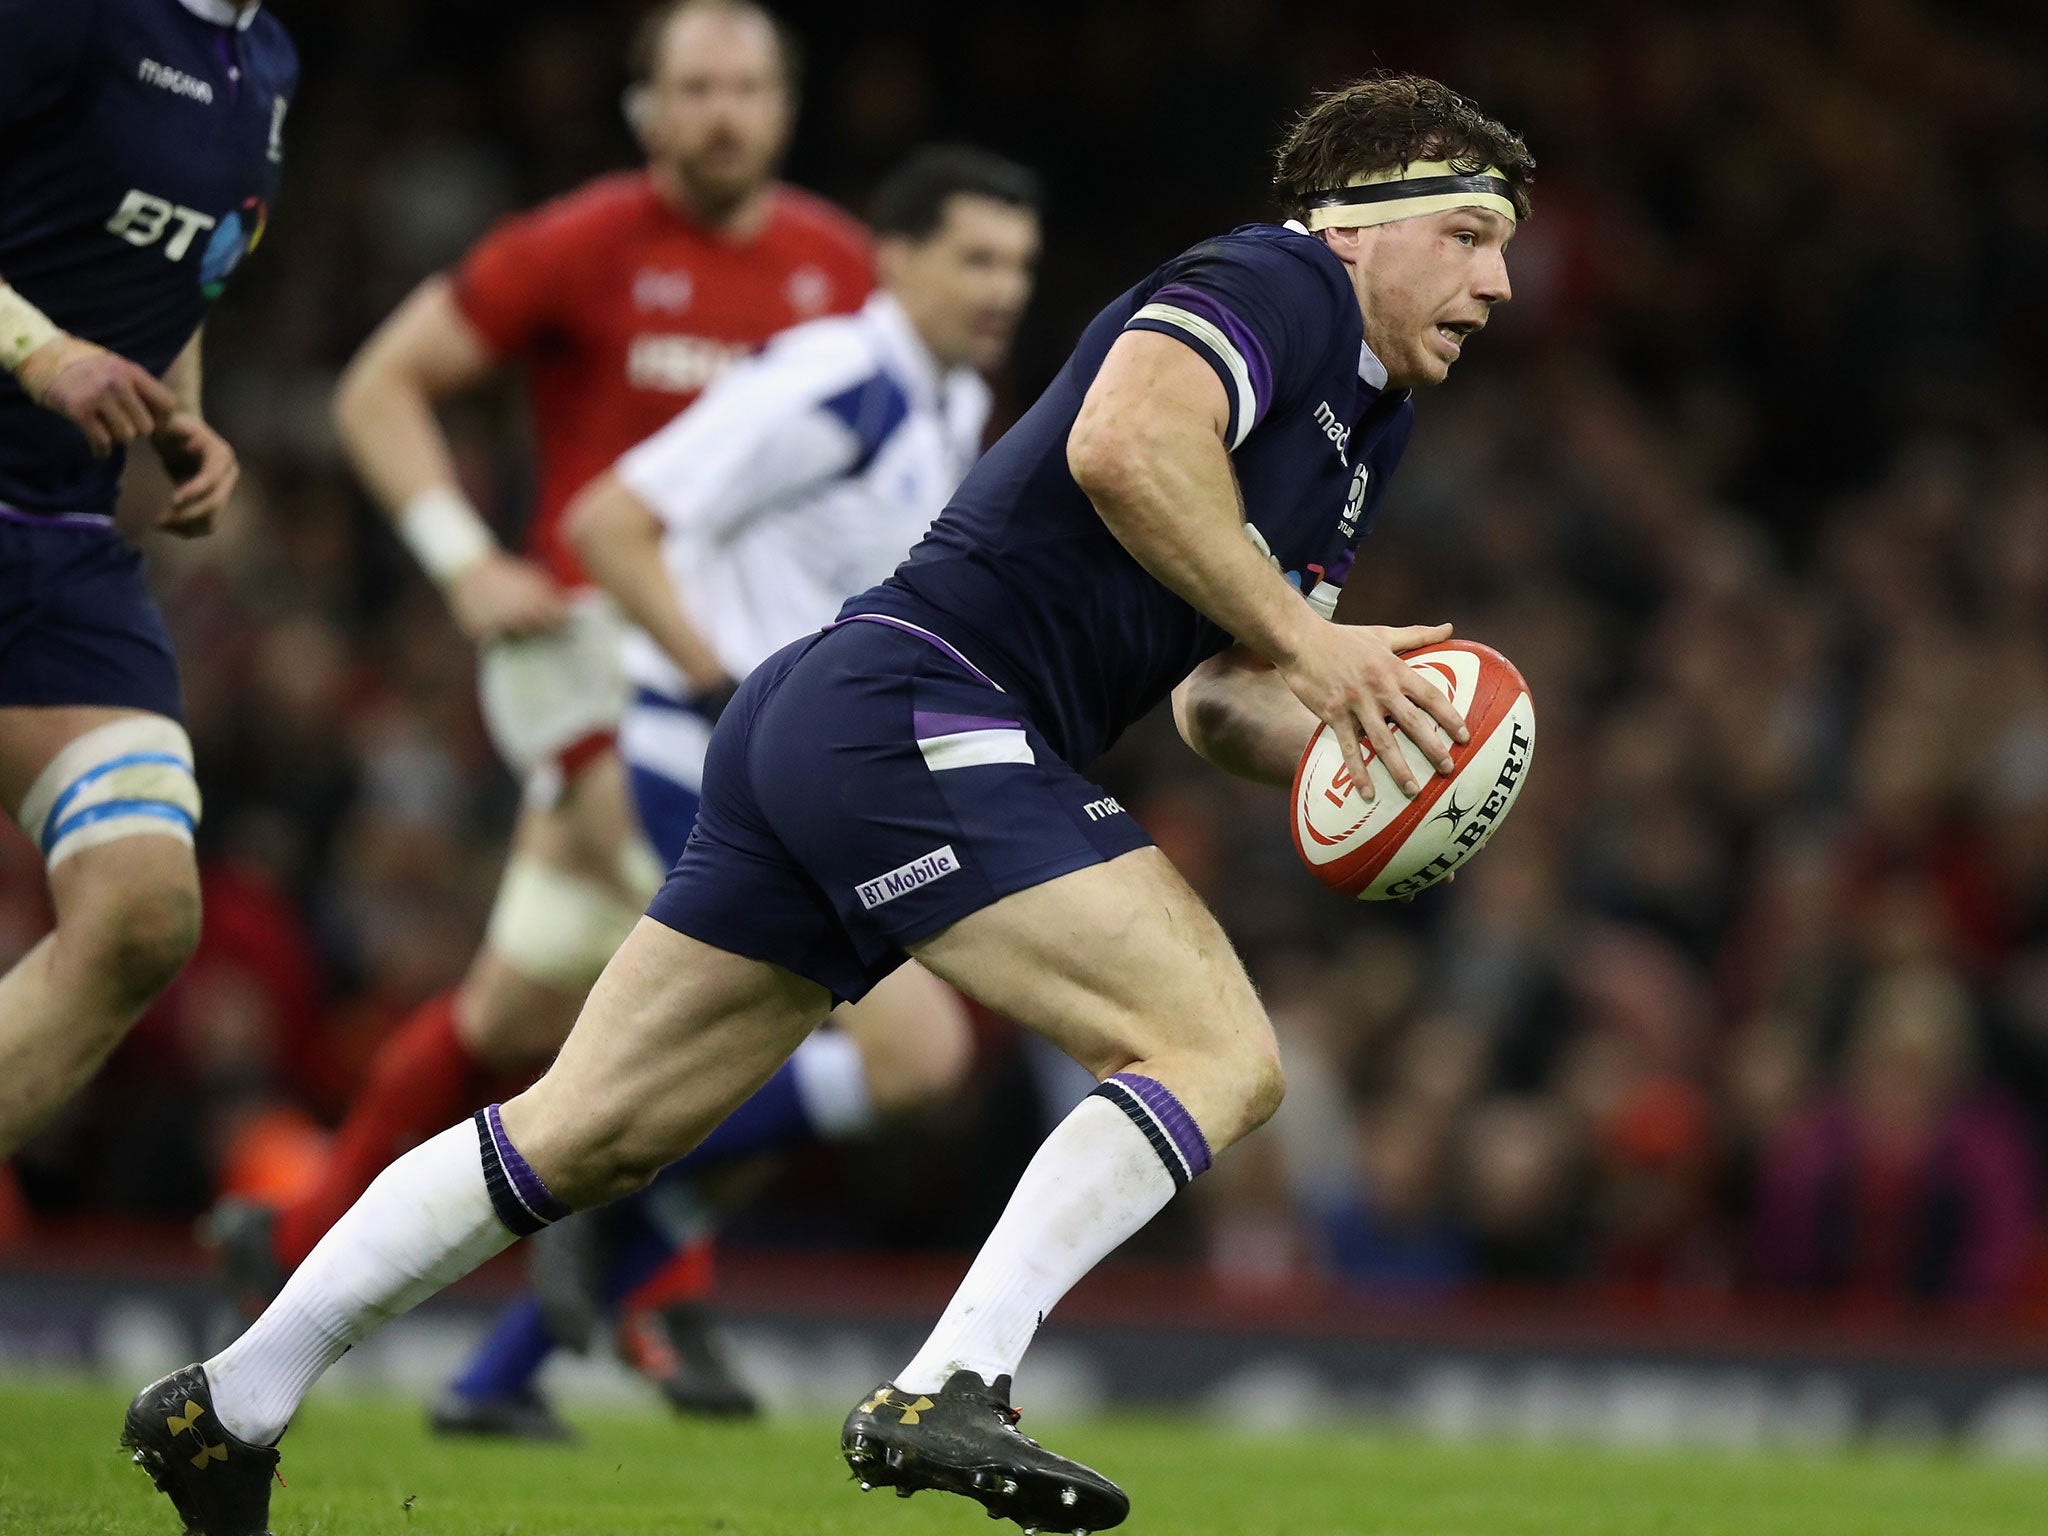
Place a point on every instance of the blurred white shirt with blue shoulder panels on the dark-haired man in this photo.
(800, 478)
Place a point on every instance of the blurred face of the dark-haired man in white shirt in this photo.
(966, 286)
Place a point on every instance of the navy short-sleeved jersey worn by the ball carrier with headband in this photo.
(1031, 585)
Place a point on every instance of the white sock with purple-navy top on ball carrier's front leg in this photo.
(1107, 1170)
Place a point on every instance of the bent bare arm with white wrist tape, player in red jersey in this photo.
(384, 411)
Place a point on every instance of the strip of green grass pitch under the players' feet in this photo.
(368, 1469)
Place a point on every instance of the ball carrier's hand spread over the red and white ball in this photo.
(1353, 679)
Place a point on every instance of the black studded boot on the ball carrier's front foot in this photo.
(966, 1441)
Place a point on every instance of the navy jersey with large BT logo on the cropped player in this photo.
(140, 148)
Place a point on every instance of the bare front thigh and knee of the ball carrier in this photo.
(1117, 964)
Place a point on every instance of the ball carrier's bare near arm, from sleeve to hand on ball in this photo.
(1148, 450)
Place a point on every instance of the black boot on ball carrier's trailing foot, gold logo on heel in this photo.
(218, 1484)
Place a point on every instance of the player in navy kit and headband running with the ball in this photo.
(910, 783)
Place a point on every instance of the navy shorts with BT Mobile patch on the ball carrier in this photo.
(865, 790)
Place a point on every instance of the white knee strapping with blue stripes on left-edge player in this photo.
(128, 779)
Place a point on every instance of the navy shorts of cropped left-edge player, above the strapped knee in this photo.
(77, 620)
